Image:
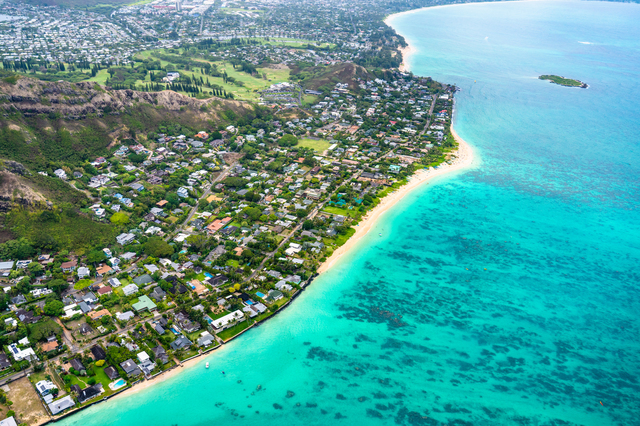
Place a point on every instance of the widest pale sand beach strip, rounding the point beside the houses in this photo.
(461, 159)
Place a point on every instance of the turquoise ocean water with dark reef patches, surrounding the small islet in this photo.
(504, 295)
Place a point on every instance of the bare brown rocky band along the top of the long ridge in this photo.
(78, 100)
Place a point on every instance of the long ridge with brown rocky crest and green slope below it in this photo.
(43, 122)
